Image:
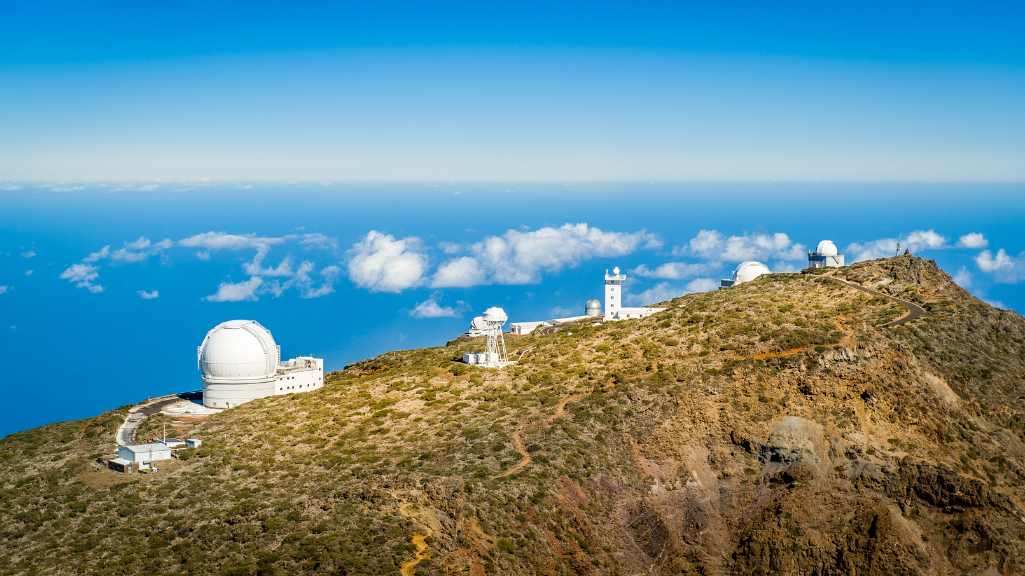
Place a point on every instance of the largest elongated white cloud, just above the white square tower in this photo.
(521, 257)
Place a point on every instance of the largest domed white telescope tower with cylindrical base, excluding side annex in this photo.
(239, 361)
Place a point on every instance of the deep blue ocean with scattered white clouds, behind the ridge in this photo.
(107, 291)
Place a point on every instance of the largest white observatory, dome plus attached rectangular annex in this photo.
(240, 362)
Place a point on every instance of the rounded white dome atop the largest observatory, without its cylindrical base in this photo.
(238, 351)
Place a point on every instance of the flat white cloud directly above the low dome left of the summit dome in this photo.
(713, 245)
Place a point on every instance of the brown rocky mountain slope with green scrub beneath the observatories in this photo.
(797, 425)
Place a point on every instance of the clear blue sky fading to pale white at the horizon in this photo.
(512, 92)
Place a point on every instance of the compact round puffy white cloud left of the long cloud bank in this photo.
(382, 264)
